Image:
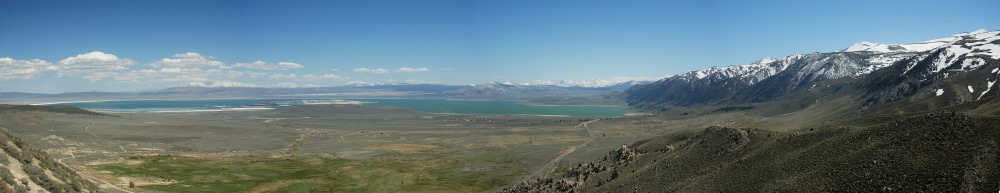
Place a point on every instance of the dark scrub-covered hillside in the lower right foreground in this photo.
(931, 152)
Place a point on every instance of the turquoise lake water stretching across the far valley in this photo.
(423, 105)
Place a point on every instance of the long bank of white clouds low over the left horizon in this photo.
(189, 68)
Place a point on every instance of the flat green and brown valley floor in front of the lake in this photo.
(319, 148)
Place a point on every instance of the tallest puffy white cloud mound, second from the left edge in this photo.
(92, 66)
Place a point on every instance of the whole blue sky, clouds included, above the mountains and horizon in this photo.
(73, 46)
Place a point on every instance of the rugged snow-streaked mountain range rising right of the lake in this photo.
(956, 69)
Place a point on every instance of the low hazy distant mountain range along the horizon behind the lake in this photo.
(355, 89)
